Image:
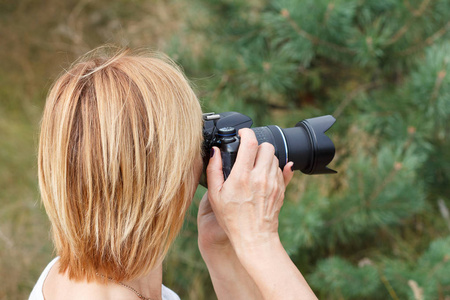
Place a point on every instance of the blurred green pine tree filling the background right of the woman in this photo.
(382, 68)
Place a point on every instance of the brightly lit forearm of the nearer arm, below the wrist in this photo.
(273, 271)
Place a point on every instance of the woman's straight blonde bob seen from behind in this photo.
(119, 140)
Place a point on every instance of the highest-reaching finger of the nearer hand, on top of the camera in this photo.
(248, 149)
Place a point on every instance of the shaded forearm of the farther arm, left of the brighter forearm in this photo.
(229, 277)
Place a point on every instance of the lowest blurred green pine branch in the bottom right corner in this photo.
(428, 279)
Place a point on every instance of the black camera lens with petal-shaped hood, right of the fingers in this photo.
(305, 144)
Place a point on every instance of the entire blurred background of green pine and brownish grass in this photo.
(379, 229)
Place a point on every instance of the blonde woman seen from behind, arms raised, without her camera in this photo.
(119, 162)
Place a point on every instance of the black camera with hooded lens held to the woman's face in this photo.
(305, 144)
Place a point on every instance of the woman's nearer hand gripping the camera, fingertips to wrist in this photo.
(247, 204)
